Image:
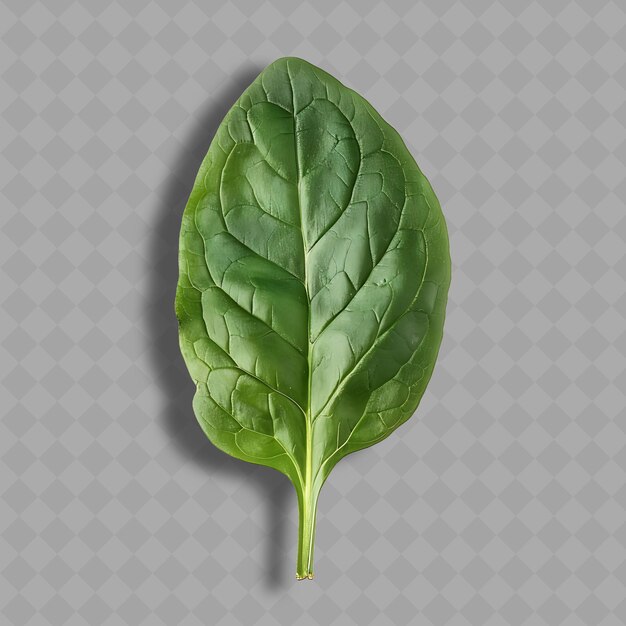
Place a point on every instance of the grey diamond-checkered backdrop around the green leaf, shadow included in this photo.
(503, 502)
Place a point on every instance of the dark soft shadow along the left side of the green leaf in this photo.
(178, 389)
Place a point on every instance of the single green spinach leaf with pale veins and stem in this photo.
(314, 271)
